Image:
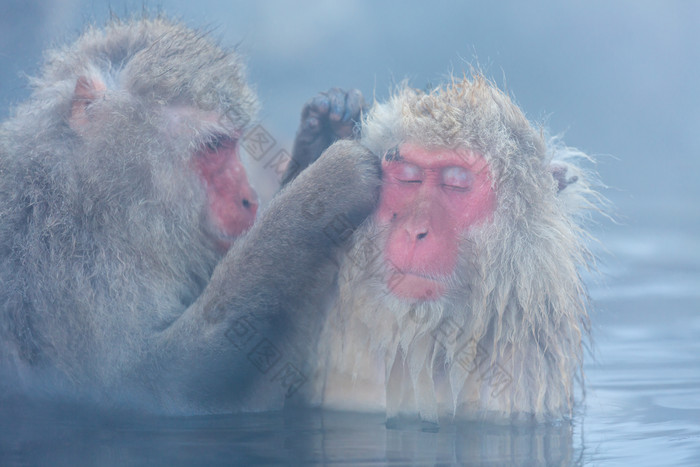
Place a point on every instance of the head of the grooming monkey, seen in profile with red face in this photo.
(154, 97)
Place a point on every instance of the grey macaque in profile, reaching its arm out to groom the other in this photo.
(126, 277)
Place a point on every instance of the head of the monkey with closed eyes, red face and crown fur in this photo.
(456, 161)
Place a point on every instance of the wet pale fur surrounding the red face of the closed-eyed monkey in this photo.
(506, 341)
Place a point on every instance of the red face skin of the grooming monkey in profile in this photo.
(232, 201)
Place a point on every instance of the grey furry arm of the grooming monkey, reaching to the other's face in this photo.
(229, 345)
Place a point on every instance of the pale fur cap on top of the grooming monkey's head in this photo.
(158, 60)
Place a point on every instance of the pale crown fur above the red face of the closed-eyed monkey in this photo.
(472, 114)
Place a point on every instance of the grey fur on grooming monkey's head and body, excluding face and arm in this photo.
(99, 243)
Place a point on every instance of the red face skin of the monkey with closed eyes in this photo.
(428, 199)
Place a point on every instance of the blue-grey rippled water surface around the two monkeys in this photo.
(642, 404)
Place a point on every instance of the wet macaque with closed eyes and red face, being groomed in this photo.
(460, 296)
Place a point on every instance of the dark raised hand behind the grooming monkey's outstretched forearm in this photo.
(326, 118)
